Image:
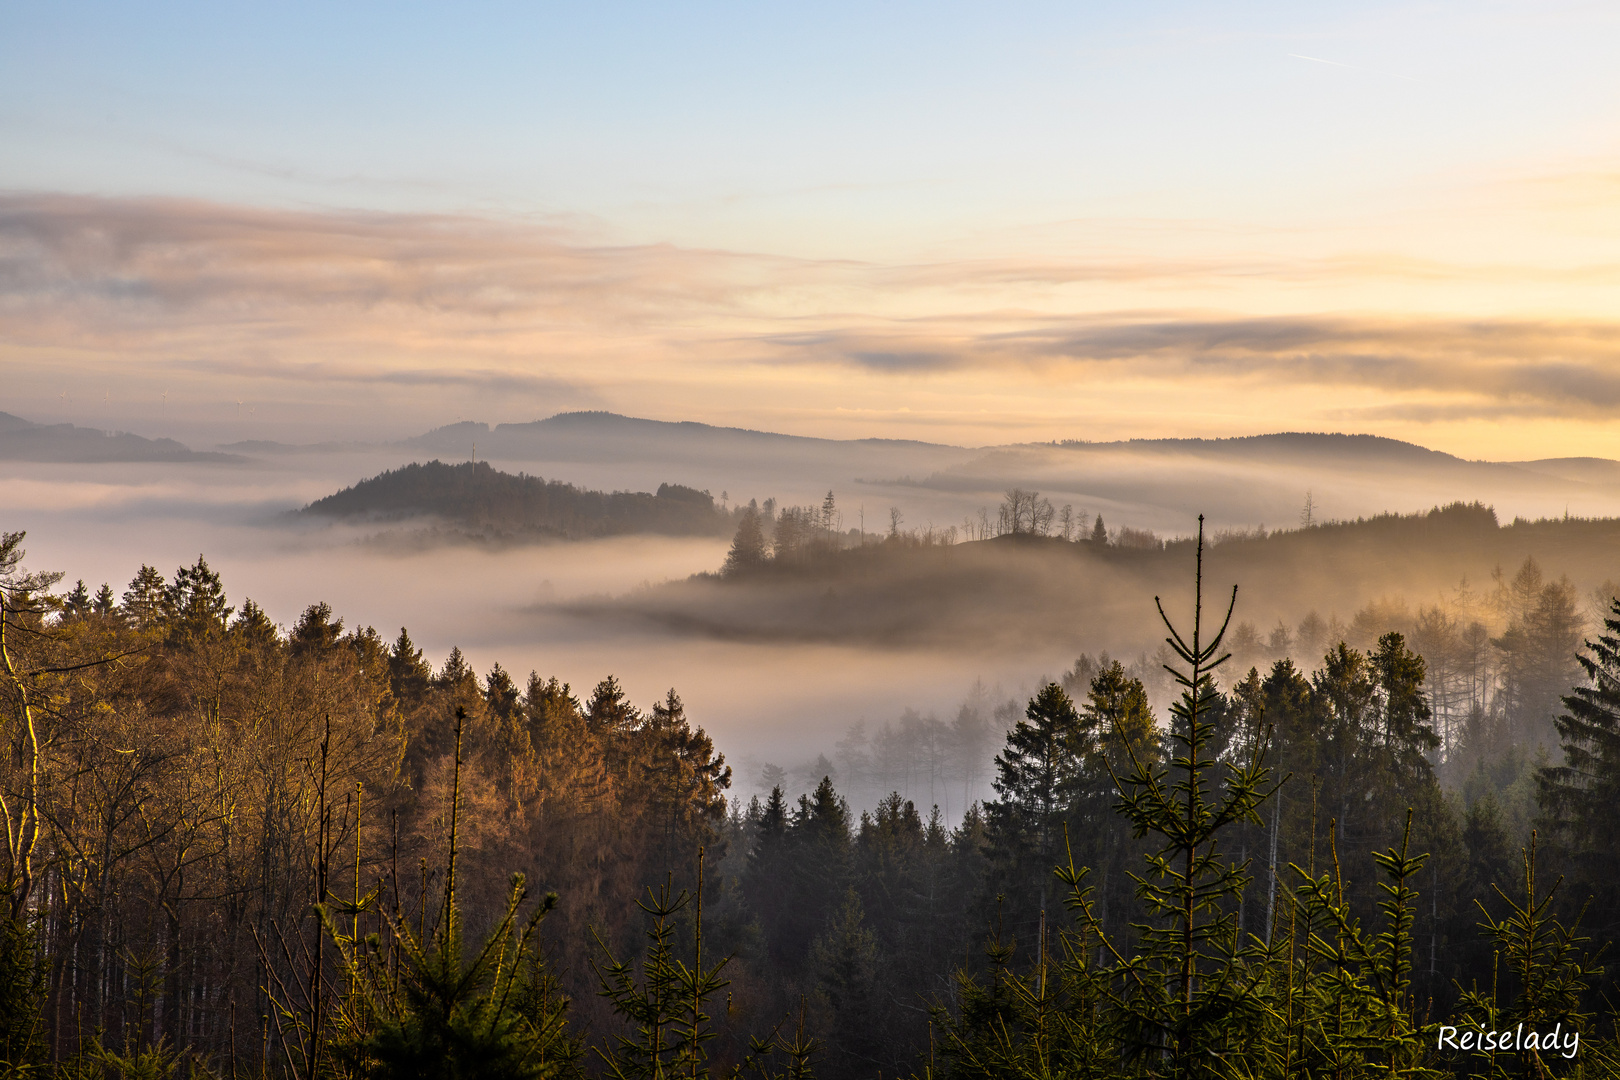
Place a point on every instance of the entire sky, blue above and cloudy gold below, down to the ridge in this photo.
(966, 224)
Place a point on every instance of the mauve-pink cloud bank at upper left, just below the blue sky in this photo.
(173, 255)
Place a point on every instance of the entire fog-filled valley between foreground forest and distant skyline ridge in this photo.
(785, 671)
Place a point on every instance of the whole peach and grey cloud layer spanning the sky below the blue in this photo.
(493, 310)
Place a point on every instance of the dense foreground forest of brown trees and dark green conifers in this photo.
(239, 849)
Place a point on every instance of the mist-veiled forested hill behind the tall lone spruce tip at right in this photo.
(1031, 589)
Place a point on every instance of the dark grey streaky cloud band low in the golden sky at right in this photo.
(1485, 368)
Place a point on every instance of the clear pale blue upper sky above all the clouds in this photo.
(953, 117)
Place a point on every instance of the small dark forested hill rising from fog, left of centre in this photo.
(484, 500)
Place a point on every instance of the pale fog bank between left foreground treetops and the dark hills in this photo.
(761, 702)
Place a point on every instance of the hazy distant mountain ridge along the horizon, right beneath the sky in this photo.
(1154, 482)
